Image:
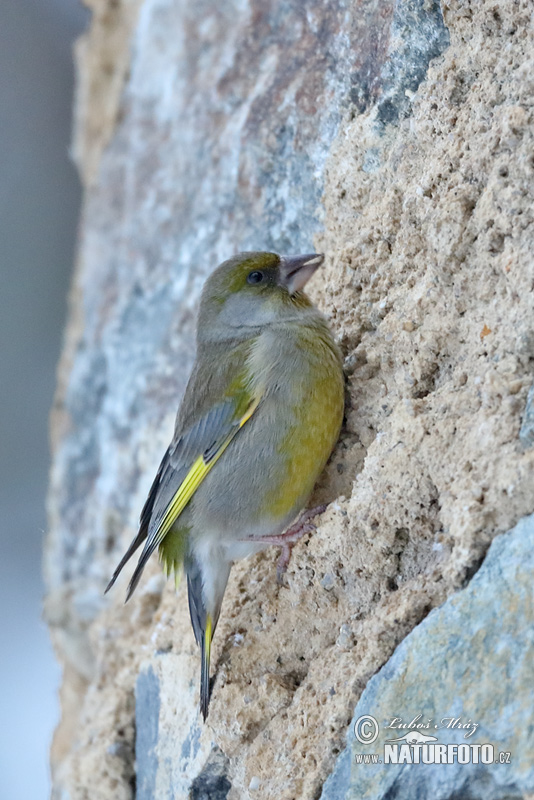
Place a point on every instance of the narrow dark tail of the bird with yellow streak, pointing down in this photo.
(204, 621)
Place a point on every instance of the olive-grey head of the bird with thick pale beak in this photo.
(252, 290)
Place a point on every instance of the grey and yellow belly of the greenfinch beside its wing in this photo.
(264, 477)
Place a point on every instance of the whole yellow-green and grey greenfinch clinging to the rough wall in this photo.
(258, 421)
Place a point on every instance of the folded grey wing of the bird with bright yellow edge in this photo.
(192, 454)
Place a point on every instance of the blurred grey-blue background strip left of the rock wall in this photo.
(39, 207)
